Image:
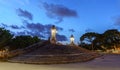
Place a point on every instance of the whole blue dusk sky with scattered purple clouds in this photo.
(35, 17)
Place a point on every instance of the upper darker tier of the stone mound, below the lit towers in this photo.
(51, 49)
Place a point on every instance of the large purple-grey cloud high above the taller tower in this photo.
(58, 11)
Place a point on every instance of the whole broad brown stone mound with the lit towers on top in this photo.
(47, 53)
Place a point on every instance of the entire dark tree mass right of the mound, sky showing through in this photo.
(108, 40)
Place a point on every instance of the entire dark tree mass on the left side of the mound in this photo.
(15, 42)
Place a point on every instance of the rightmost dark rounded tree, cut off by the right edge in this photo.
(112, 38)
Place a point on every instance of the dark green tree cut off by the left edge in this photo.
(5, 37)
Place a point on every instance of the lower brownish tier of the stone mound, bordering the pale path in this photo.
(53, 59)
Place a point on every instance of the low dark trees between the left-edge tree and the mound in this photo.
(20, 42)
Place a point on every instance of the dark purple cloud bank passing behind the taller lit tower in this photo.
(38, 29)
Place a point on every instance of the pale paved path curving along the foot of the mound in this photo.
(106, 62)
